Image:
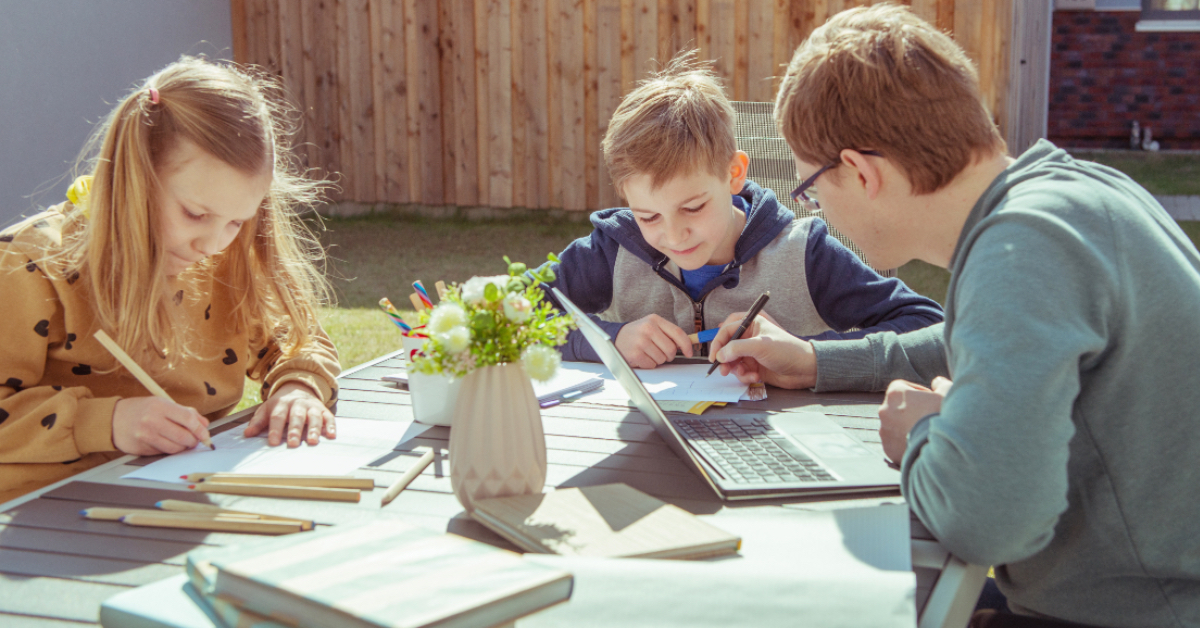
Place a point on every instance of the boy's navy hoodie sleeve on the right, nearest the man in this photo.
(848, 294)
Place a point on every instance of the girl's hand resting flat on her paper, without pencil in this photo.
(292, 408)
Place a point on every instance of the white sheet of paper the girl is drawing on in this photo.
(359, 442)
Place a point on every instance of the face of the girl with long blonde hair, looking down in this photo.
(203, 205)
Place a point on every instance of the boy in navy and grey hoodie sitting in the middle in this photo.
(701, 243)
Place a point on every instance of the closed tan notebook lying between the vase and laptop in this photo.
(613, 521)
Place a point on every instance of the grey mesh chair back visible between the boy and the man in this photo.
(771, 162)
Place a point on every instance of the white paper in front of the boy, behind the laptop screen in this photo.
(669, 382)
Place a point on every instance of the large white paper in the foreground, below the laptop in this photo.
(838, 569)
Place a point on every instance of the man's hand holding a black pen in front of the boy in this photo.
(766, 354)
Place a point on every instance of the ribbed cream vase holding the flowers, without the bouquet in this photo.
(497, 446)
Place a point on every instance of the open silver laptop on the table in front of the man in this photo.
(755, 456)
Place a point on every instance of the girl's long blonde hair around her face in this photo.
(241, 118)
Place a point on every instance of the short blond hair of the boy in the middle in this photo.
(676, 123)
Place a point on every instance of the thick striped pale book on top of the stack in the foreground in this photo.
(386, 575)
